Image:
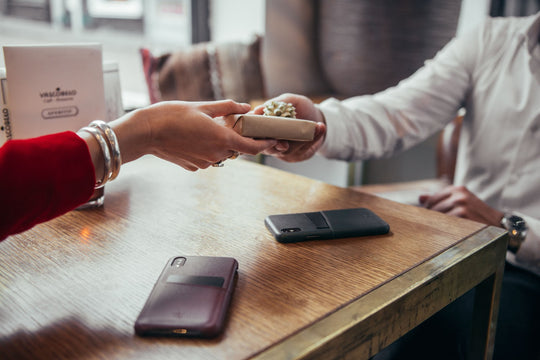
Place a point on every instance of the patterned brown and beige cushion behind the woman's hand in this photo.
(206, 71)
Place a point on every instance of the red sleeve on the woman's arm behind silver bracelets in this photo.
(42, 178)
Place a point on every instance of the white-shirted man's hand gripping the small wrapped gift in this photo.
(294, 151)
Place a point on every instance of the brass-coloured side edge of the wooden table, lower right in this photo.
(323, 338)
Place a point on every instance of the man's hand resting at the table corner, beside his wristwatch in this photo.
(459, 201)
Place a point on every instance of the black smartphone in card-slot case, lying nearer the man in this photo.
(327, 224)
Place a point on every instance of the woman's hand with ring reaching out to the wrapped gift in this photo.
(184, 133)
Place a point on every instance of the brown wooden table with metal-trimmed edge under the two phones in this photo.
(73, 287)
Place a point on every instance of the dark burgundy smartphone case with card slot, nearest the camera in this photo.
(190, 298)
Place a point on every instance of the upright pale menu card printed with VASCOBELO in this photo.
(53, 88)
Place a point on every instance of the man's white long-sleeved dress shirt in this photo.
(494, 73)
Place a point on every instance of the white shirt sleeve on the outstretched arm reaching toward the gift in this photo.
(380, 125)
